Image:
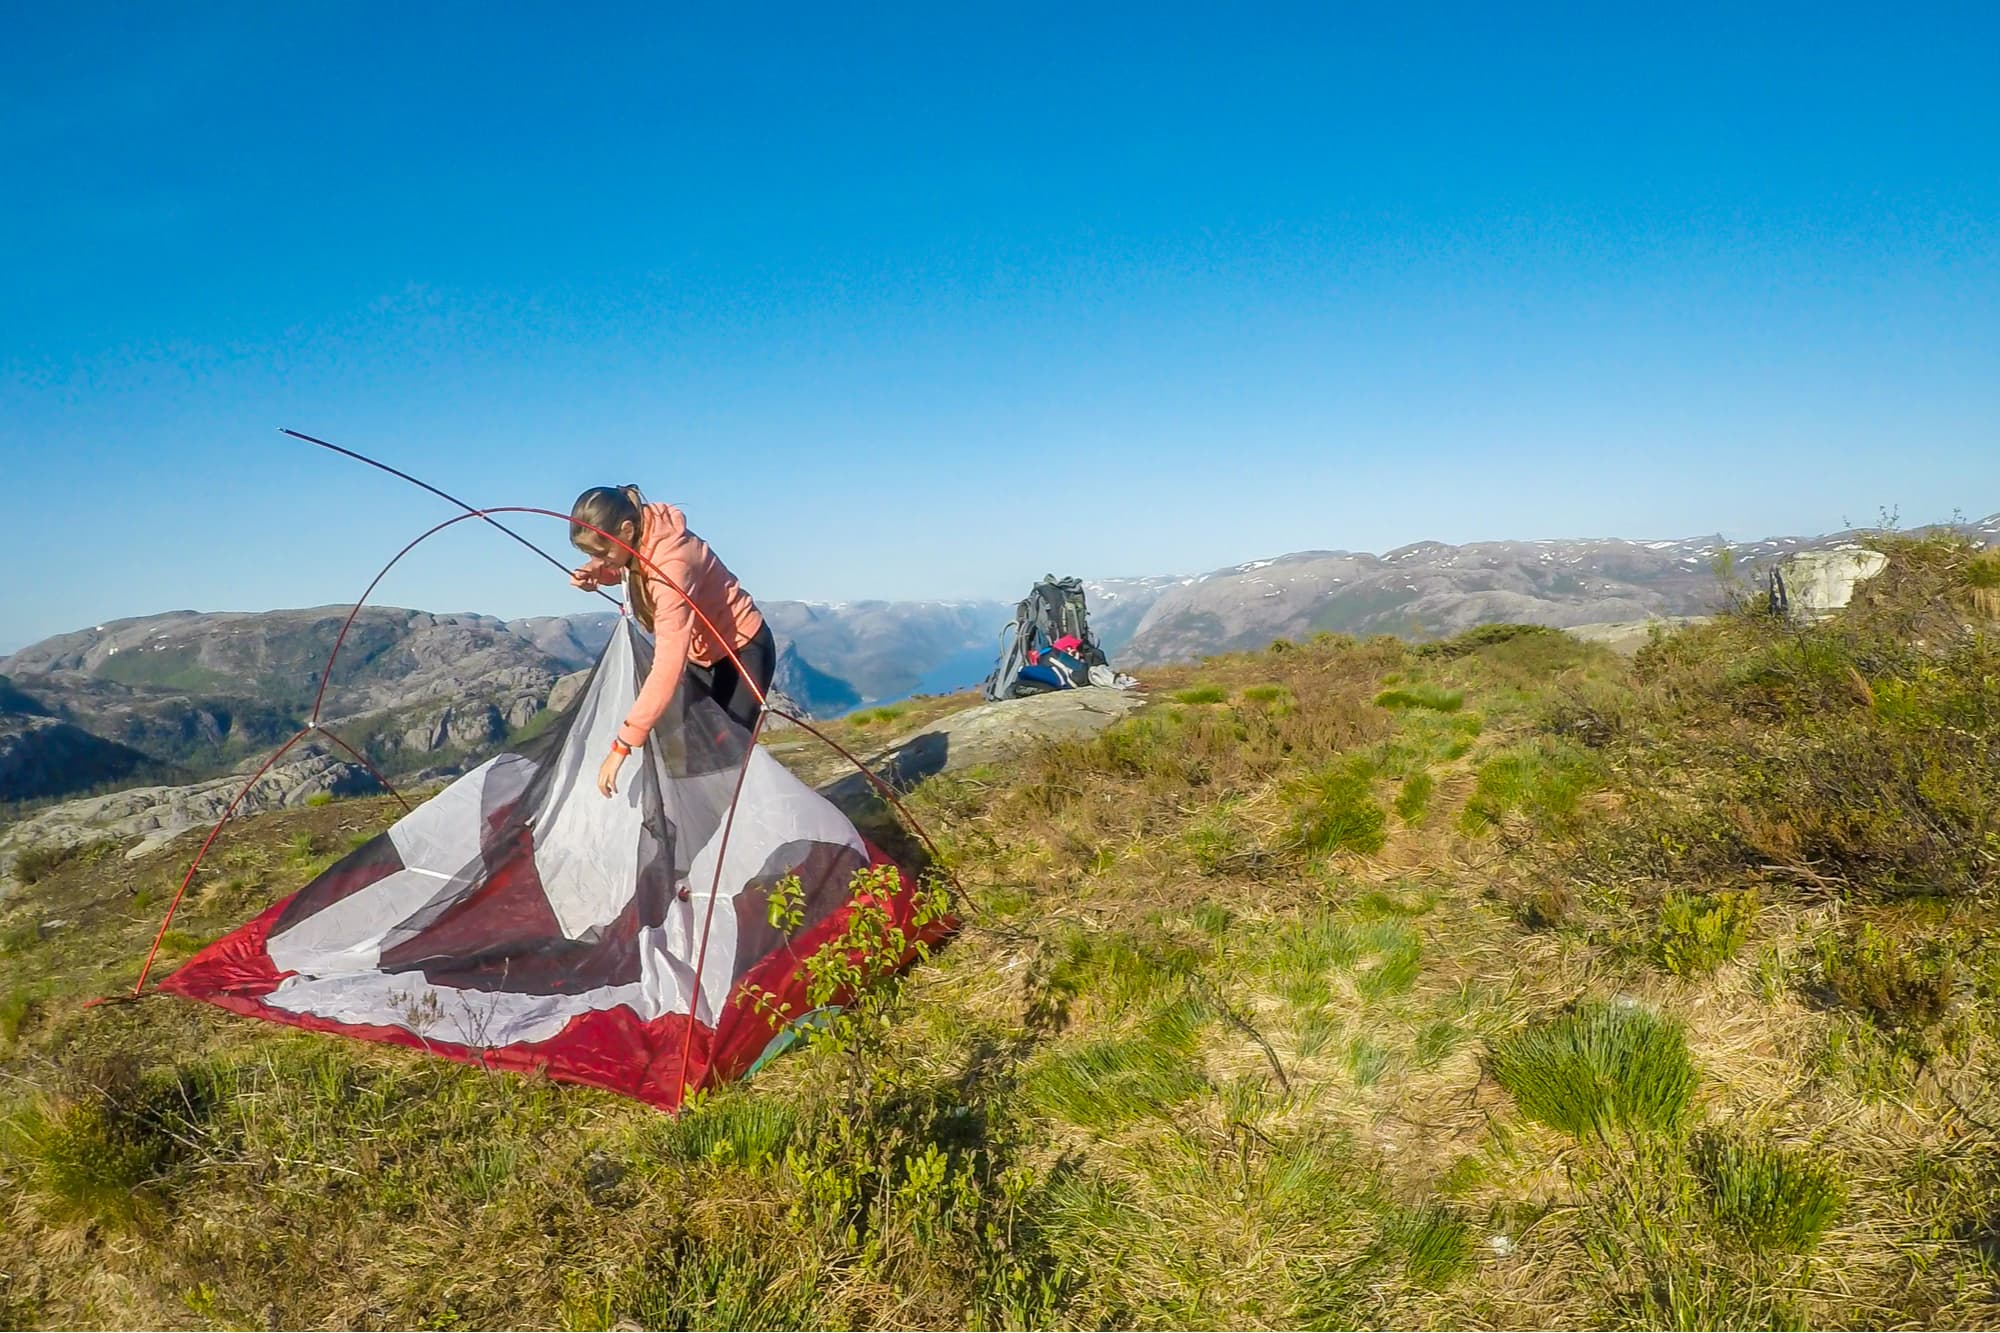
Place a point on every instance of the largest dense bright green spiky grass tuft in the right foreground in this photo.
(1599, 1068)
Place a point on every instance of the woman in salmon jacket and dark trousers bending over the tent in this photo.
(681, 641)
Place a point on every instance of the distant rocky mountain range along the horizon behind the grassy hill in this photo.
(189, 696)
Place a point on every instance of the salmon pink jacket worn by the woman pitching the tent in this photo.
(679, 635)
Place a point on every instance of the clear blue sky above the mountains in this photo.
(929, 301)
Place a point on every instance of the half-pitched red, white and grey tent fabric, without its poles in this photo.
(521, 920)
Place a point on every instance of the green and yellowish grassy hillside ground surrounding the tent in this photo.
(1267, 1018)
